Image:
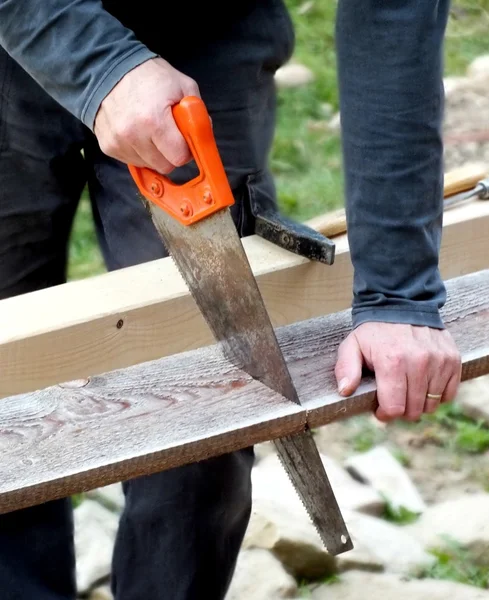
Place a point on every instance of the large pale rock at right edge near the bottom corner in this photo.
(465, 520)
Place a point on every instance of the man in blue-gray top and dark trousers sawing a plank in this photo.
(102, 77)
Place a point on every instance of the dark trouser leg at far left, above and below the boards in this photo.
(41, 177)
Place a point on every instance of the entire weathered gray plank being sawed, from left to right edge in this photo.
(188, 407)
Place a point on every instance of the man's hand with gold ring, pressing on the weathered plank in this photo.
(415, 368)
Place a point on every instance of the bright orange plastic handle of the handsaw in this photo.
(209, 191)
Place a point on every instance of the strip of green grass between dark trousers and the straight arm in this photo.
(306, 157)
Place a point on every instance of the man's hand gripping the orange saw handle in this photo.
(135, 124)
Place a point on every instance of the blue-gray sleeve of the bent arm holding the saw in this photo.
(75, 49)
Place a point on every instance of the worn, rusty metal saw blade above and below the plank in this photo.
(304, 468)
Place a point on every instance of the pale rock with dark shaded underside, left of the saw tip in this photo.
(290, 535)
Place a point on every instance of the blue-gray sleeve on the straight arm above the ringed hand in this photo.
(390, 57)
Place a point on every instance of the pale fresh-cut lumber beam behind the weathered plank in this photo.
(71, 331)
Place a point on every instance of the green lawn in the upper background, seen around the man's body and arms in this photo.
(306, 158)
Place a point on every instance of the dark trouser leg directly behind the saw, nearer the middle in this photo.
(181, 530)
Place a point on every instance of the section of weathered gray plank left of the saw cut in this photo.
(132, 422)
